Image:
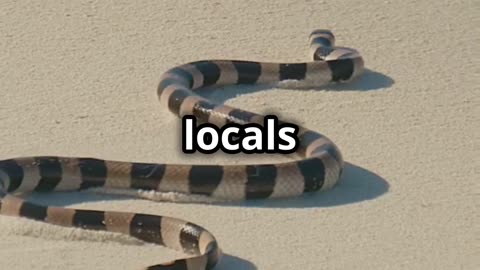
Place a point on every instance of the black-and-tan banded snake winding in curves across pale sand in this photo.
(318, 165)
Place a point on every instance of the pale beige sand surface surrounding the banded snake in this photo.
(79, 78)
